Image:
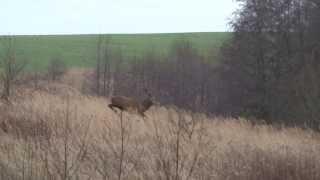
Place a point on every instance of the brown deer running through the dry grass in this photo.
(124, 103)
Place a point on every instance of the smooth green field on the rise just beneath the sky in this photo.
(80, 50)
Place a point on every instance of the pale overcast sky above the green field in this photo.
(113, 16)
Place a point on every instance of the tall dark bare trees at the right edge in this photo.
(270, 69)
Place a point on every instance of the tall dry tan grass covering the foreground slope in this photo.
(58, 133)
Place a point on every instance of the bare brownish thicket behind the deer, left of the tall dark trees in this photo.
(182, 78)
